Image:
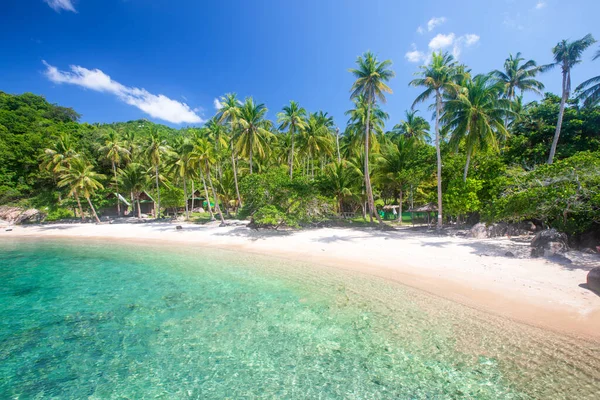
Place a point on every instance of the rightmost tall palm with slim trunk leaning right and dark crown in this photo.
(566, 55)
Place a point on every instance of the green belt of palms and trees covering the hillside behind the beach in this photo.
(485, 154)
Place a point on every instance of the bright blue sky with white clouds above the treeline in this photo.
(168, 60)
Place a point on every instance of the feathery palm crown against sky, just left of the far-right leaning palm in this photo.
(519, 76)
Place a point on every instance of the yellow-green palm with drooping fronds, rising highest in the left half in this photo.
(253, 130)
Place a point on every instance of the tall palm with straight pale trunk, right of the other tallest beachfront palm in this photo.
(438, 78)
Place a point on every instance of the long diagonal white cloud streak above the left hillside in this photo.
(157, 106)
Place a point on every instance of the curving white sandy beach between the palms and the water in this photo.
(476, 273)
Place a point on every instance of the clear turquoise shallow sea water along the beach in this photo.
(100, 320)
